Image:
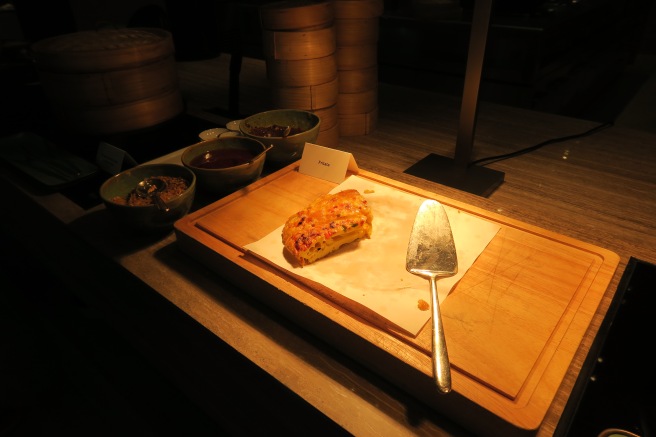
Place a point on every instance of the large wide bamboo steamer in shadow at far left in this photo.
(109, 81)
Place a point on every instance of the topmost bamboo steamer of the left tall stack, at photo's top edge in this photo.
(296, 15)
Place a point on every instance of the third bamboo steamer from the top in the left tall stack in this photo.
(302, 72)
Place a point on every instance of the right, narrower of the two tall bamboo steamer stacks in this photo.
(357, 29)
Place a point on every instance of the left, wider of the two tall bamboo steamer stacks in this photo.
(299, 46)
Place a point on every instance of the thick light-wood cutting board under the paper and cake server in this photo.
(513, 323)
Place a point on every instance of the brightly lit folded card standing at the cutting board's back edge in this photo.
(326, 163)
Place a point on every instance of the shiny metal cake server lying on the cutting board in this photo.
(432, 255)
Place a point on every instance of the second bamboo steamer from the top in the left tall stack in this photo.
(296, 45)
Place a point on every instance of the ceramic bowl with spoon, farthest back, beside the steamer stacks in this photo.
(304, 127)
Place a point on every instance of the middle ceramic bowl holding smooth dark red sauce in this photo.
(225, 164)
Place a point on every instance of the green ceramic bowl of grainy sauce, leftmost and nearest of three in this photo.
(115, 191)
